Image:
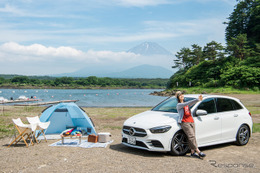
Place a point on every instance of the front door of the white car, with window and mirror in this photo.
(208, 127)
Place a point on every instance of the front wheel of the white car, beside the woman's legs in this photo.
(179, 145)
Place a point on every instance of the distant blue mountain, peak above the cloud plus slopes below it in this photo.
(147, 50)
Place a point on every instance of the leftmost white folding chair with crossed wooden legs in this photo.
(24, 130)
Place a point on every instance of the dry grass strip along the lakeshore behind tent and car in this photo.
(103, 118)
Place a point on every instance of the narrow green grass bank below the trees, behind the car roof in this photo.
(222, 90)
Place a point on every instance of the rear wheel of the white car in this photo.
(243, 135)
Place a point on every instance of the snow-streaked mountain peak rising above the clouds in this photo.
(149, 48)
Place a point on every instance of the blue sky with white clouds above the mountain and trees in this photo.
(59, 36)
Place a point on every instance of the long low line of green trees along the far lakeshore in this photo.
(88, 82)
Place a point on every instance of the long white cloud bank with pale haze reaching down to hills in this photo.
(37, 59)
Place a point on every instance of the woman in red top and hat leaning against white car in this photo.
(187, 122)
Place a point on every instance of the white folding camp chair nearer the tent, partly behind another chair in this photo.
(41, 126)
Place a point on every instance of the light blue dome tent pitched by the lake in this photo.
(67, 115)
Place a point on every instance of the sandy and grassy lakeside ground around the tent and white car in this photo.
(119, 158)
